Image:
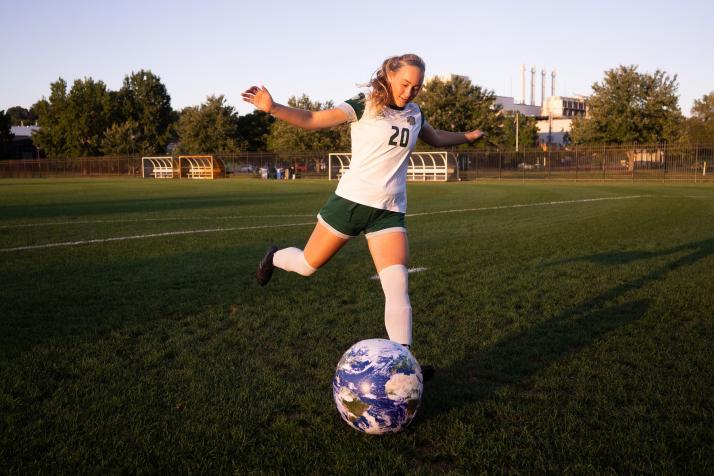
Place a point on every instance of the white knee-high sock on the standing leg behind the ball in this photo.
(397, 307)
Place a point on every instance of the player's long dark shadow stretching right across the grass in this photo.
(517, 358)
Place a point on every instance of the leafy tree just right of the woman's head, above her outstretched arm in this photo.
(458, 105)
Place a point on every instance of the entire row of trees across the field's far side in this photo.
(88, 119)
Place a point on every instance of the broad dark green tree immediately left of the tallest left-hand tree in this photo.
(73, 124)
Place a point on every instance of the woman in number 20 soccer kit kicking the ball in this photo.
(371, 195)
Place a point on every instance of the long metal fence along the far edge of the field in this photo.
(601, 163)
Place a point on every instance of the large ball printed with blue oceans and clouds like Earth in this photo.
(377, 386)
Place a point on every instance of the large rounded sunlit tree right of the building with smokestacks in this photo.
(629, 106)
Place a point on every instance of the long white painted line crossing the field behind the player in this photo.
(217, 230)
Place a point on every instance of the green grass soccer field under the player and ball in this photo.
(570, 324)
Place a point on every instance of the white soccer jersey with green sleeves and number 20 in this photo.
(382, 142)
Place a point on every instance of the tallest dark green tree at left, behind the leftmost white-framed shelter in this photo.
(144, 101)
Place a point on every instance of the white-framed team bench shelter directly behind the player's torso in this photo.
(423, 166)
